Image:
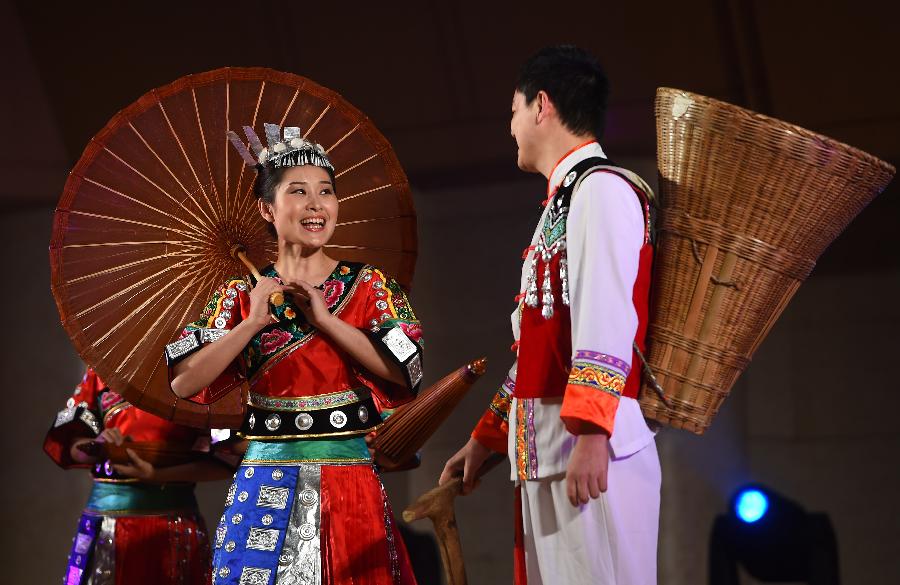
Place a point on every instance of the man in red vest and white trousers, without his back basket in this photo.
(583, 457)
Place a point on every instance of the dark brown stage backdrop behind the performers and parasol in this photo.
(813, 417)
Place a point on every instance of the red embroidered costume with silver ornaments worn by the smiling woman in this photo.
(307, 505)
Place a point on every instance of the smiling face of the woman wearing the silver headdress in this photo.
(305, 207)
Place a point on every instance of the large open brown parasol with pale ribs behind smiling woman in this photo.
(150, 215)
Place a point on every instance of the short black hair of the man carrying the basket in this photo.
(575, 83)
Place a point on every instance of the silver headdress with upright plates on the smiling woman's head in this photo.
(291, 150)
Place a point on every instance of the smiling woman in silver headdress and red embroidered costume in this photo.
(318, 340)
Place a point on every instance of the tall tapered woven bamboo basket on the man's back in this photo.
(748, 203)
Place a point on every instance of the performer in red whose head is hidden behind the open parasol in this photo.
(141, 524)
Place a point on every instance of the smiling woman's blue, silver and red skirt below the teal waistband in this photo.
(295, 518)
